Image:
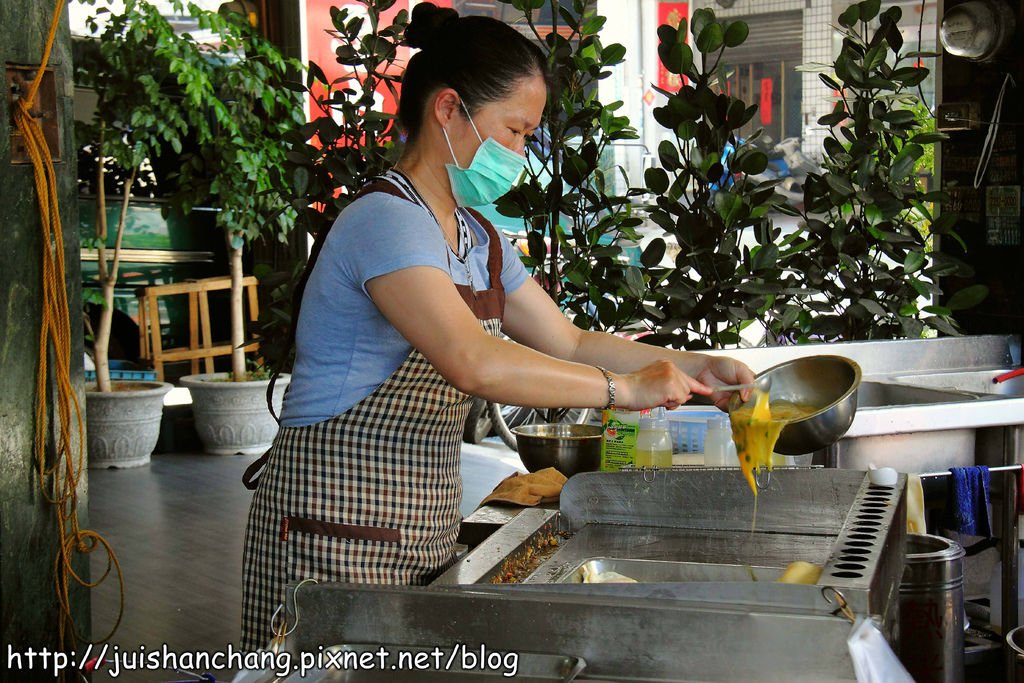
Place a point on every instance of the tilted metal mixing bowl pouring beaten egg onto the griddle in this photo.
(827, 382)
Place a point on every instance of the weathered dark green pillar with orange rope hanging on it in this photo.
(29, 538)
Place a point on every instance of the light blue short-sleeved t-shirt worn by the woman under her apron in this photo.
(346, 349)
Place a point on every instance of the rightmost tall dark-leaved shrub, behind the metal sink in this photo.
(868, 220)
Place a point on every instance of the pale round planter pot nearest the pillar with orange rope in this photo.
(123, 425)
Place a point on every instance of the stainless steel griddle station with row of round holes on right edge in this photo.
(708, 608)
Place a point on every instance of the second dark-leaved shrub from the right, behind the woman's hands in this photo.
(734, 266)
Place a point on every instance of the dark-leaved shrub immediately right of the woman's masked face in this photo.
(574, 224)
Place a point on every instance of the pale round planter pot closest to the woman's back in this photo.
(232, 417)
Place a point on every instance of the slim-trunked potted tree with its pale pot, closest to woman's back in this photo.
(238, 167)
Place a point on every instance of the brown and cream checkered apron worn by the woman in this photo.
(370, 496)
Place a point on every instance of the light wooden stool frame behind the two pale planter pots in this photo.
(151, 344)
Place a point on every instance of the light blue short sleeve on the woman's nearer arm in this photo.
(381, 234)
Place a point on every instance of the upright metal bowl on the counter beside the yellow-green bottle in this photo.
(568, 448)
